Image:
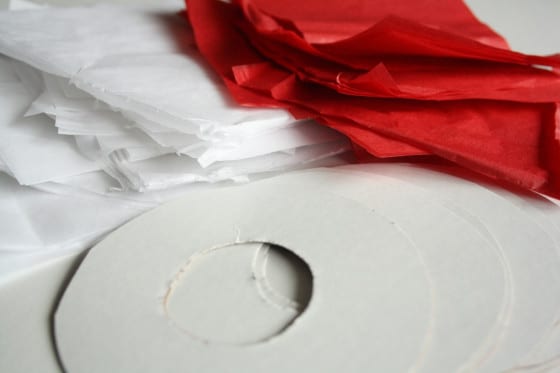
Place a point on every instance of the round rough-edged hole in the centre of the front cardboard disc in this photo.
(239, 294)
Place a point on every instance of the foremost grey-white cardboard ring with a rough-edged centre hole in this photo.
(369, 312)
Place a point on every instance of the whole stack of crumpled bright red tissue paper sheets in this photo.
(398, 78)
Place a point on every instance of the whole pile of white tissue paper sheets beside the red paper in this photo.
(122, 111)
